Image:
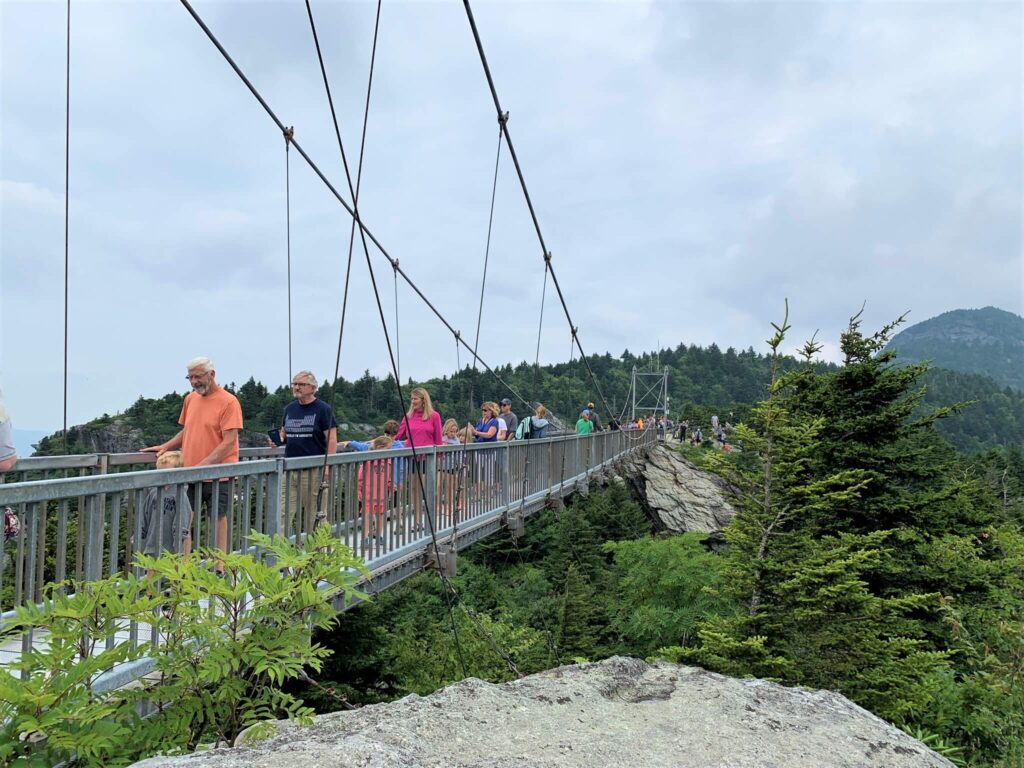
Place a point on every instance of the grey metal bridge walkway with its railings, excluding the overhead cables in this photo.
(81, 519)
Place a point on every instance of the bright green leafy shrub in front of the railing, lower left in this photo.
(228, 646)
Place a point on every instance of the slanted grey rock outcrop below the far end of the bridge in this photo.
(676, 494)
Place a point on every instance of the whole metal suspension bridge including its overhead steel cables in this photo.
(80, 516)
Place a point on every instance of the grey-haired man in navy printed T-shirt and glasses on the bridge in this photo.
(309, 429)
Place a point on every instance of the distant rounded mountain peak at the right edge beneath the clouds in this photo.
(989, 343)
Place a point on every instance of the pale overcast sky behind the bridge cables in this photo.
(692, 164)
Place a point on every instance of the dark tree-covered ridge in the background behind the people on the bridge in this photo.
(702, 381)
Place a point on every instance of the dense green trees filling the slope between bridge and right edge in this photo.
(867, 557)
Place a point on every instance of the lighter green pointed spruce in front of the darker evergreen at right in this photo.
(807, 612)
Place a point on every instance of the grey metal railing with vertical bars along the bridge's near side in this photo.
(82, 519)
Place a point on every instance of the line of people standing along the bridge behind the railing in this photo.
(211, 424)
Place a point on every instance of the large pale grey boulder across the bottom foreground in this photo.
(618, 712)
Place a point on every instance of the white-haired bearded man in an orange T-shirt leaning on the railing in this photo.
(211, 420)
